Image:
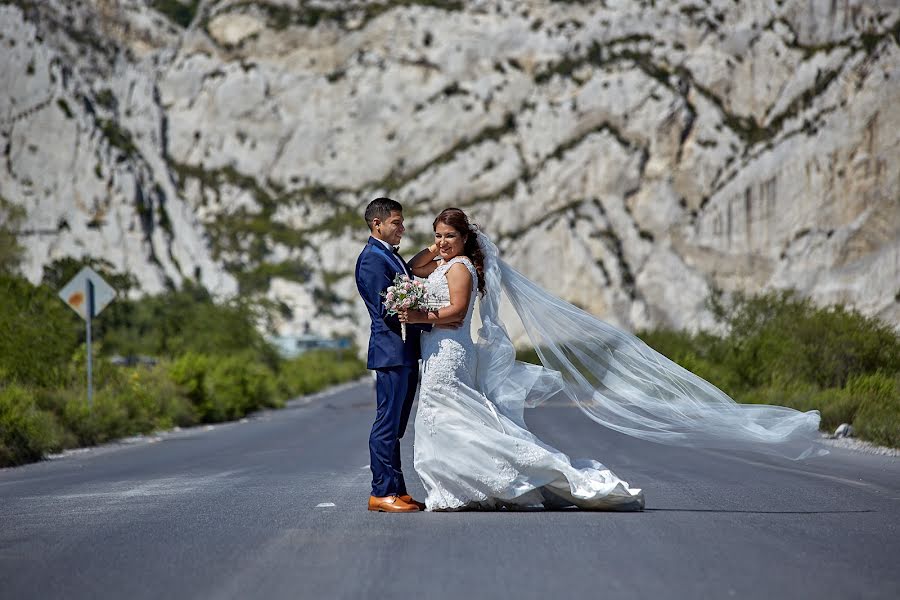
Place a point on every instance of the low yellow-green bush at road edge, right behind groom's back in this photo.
(316, 370)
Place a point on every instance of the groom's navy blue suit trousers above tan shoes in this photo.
(395, 391)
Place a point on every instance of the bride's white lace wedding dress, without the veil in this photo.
(470, 455)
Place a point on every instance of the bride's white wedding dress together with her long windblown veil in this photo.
(473, 448)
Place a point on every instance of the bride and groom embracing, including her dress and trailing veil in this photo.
(472, 448)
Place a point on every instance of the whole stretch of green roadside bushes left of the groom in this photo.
(214, 363)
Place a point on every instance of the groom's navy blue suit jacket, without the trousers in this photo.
(376, 268)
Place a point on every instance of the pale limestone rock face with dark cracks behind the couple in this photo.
(630, 156)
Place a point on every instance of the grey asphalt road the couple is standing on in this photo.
(235, 512)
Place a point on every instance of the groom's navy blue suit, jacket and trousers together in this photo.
(396, 365)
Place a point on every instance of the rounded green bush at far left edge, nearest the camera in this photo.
(26, 432)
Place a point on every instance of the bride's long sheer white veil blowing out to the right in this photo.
(615, 378)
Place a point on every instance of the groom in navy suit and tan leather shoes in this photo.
(395, 362)
